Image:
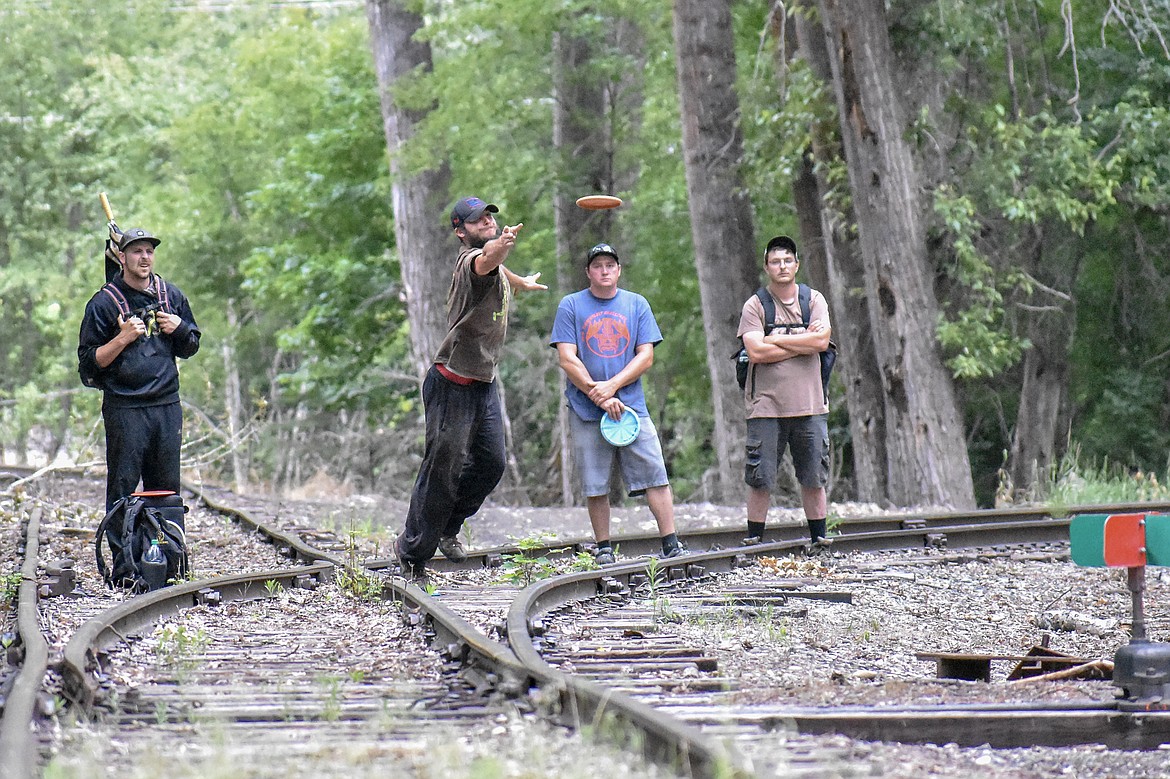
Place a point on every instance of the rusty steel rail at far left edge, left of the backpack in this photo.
(18, 746)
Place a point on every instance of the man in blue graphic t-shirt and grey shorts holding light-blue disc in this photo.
(605, 340)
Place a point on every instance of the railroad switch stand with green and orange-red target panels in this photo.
(1131, 541)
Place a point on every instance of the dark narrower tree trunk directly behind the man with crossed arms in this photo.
(832, 259)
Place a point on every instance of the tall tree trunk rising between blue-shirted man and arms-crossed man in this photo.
(720, 209)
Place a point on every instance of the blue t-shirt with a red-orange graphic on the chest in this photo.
(607, 334)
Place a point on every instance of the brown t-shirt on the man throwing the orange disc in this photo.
(477, 320)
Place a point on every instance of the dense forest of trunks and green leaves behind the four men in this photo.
(982, 190)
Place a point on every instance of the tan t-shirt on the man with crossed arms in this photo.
(790, 388)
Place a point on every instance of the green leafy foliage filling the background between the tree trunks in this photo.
(252, 142)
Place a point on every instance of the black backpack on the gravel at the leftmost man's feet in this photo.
(130, 528)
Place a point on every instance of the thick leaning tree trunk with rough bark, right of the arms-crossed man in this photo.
(926, 446)
